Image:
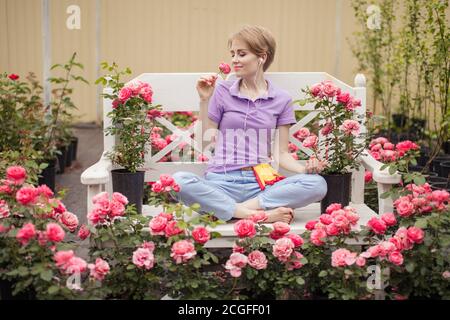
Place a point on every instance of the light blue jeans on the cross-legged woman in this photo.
(218, 193)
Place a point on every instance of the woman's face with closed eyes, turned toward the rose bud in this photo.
(243, 61)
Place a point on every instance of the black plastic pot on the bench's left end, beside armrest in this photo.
(131, 185)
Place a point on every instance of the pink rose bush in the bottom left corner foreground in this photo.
(34, 224)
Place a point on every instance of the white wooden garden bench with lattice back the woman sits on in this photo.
(177, 92)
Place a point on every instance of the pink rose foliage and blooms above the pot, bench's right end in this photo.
(342, 137)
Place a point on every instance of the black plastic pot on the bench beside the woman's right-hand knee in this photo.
(339, 190)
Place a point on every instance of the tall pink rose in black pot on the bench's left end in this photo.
(132, 120)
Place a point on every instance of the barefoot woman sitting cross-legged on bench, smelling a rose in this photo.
(246, 114)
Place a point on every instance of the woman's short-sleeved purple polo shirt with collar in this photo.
(246, 127)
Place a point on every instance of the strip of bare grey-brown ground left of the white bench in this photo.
(90, 147)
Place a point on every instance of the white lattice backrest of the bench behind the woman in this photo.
(177, 92)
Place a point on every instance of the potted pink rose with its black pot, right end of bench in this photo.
(343, 139)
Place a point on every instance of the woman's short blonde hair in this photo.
(259, 40)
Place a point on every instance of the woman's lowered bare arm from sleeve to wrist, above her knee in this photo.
(281, 152)
